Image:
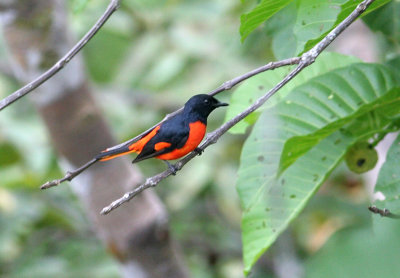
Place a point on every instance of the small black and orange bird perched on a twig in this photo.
(174, 138)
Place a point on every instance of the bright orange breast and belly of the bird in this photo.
(196, 134)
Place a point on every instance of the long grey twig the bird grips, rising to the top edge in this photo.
(305, 60)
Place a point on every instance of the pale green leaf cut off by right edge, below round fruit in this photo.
(388, 182)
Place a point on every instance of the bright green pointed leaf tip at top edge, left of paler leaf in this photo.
(261, 13)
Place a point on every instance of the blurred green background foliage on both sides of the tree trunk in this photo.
(146, 61)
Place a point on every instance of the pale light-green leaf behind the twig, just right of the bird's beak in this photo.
(258, 85)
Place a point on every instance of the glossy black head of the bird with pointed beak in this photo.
(202, 105)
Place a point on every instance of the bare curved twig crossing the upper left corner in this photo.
(112, 7)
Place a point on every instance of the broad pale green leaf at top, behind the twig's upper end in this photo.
(303, 23)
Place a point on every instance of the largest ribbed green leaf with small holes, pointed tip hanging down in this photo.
(269, 202)
